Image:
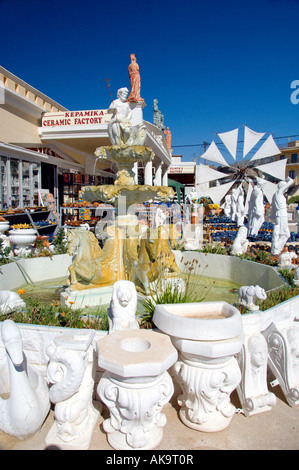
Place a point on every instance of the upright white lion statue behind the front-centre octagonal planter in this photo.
(123, 305)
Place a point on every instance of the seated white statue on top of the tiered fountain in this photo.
(119, 127)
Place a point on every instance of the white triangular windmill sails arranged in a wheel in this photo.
(246, 170)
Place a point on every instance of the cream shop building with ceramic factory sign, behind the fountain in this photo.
(45, 146)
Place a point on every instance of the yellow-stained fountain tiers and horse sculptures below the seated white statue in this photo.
(128, 252)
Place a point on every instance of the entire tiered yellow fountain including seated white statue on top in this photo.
(129, 253)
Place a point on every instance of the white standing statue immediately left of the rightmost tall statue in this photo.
(256, 210)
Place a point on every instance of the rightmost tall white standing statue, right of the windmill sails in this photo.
(281, 232)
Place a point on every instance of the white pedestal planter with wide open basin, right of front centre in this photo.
(207, 336)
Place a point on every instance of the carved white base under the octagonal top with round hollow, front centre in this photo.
(135, 408)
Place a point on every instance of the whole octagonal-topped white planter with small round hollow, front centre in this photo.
(135, 386)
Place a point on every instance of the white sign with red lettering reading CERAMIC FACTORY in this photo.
(76, 118)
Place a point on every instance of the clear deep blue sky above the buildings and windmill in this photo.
(213, 65)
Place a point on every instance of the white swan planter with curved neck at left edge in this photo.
(23, 413)
